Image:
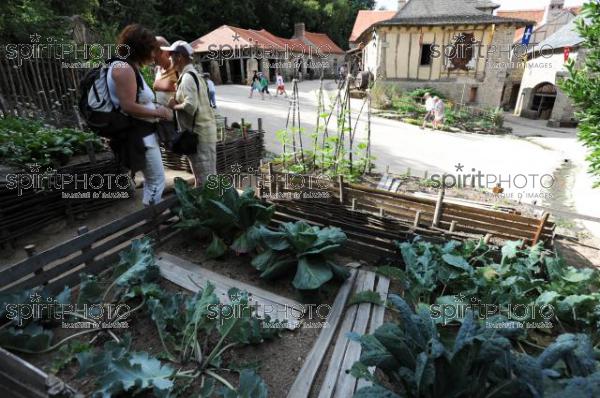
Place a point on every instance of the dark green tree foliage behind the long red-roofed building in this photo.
(179, 19)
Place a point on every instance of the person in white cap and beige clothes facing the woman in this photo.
(194, 112)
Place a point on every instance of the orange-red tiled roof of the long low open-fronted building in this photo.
(238, 37)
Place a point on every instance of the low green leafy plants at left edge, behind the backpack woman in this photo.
(25, 141)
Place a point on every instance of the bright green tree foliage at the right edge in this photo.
(583, 85)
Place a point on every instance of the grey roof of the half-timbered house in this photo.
(446, 12)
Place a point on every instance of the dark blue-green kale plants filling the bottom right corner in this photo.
(478, 362)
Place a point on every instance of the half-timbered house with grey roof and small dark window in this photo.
(455, 46)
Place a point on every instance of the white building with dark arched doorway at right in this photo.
(539, 96)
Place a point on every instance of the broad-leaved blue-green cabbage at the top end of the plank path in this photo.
(305, 249)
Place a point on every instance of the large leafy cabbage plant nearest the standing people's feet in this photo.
(232, 219)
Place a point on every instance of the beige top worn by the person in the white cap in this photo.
(188, 94)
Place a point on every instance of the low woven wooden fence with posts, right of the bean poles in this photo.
(402, 214)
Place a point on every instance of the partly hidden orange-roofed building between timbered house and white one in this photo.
(546, 22)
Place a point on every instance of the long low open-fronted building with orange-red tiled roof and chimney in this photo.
(231, 54)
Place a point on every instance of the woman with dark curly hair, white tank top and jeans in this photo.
(138, 146)
